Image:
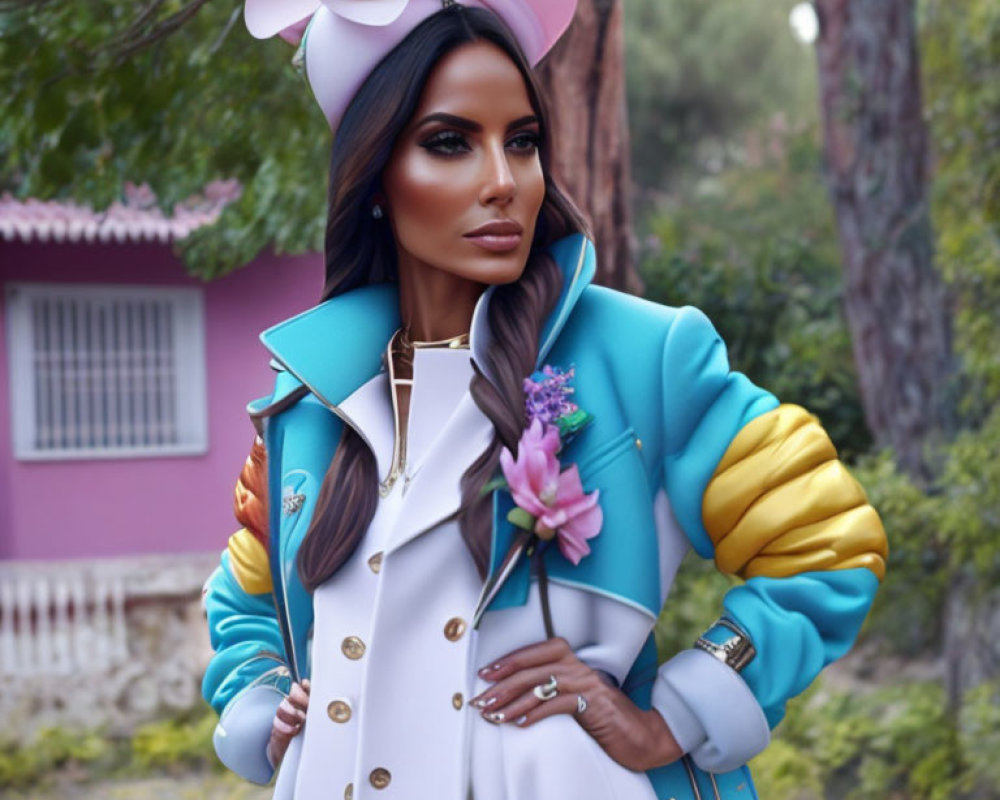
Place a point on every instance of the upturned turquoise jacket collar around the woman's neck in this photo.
(338, 345)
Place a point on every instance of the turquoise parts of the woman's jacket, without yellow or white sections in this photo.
(666, 410)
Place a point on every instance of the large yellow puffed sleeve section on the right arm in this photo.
(781, 503)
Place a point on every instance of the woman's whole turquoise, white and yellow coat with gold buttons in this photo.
(392, 642)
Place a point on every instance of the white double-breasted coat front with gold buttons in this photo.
(394, 658)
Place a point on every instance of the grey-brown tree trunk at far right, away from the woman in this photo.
(876, 150)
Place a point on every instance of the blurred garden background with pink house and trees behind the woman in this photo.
(823, 179)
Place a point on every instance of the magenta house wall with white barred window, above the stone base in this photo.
(122, 387)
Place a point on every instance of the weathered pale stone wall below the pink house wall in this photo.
(102, 643)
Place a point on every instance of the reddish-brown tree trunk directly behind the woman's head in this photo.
(585, 79)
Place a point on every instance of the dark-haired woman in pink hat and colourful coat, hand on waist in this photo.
(439, 631)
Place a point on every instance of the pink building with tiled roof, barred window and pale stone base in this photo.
(123, 385)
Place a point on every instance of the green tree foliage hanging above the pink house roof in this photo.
(89, 114)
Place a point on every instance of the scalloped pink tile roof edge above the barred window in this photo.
(136, 219)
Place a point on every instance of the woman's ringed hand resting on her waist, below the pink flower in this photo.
(636, 739)
